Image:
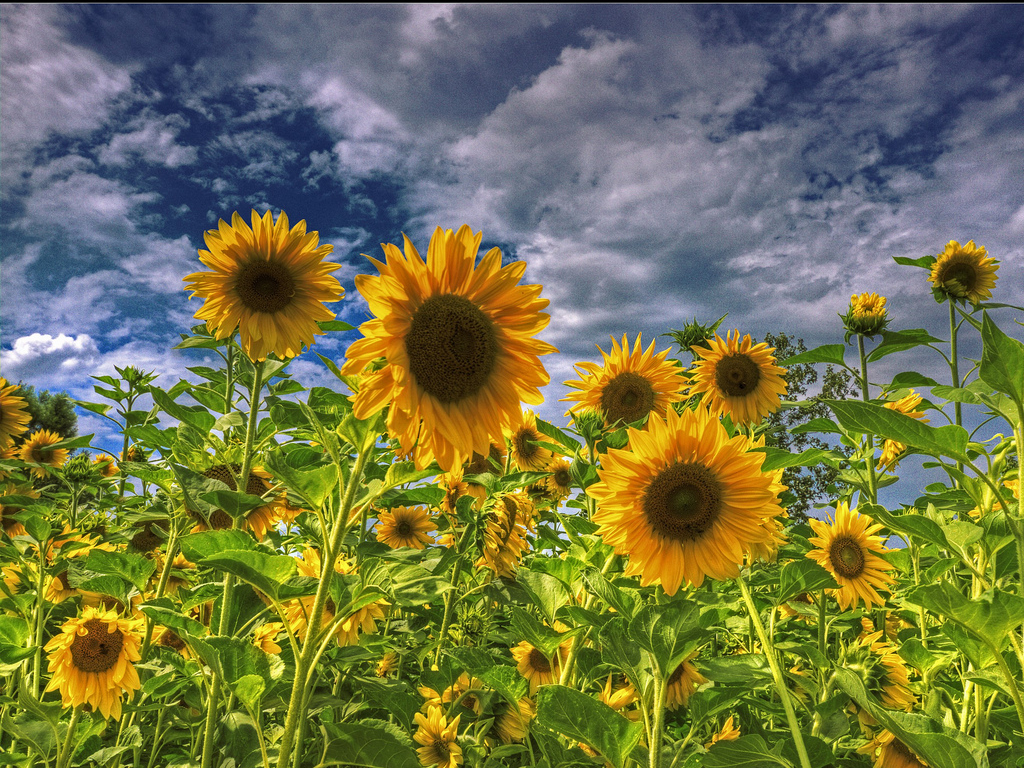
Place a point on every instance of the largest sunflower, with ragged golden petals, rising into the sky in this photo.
(459, 345)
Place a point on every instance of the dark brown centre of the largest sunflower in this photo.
(452, 348)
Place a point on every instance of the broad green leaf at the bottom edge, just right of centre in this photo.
(582, 718)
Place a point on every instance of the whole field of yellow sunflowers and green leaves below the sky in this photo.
(410, 570)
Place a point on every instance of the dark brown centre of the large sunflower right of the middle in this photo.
(684, 501)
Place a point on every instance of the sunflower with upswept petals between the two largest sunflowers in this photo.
(629, 386)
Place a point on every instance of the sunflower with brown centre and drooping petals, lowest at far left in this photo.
(92, 661)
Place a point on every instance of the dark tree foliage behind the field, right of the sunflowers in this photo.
(807, 485)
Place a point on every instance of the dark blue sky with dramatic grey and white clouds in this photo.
(652, 164)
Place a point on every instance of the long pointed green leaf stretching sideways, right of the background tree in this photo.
(869, 418)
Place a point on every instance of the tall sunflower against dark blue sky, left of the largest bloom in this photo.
(269, 281)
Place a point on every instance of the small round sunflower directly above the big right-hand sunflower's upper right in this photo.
(739, 378)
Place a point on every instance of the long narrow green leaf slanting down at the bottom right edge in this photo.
(942, 747)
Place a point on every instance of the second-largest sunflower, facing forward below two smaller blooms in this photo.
(686, 501)
